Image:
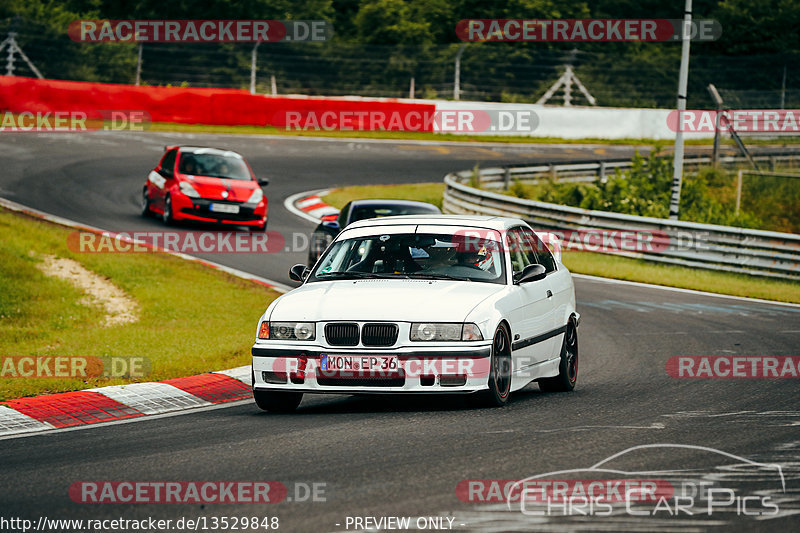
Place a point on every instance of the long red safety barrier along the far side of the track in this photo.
(210, 106)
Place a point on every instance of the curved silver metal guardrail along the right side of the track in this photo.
(709, 246)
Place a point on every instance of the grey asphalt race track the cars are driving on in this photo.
(380, 457)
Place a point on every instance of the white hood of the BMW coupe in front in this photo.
(377, 299)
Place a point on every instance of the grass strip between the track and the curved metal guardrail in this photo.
(604, 265)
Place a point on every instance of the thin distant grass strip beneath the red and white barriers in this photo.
(438, 137)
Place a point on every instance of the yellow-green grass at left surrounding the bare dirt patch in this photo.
(192, 319)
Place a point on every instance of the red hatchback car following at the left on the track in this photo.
(205, 185)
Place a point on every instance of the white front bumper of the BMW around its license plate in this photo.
(426, 370)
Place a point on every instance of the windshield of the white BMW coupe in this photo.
(413, 255)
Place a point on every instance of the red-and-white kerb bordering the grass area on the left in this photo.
(106, 404)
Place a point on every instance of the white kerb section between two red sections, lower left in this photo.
(151, 398)
